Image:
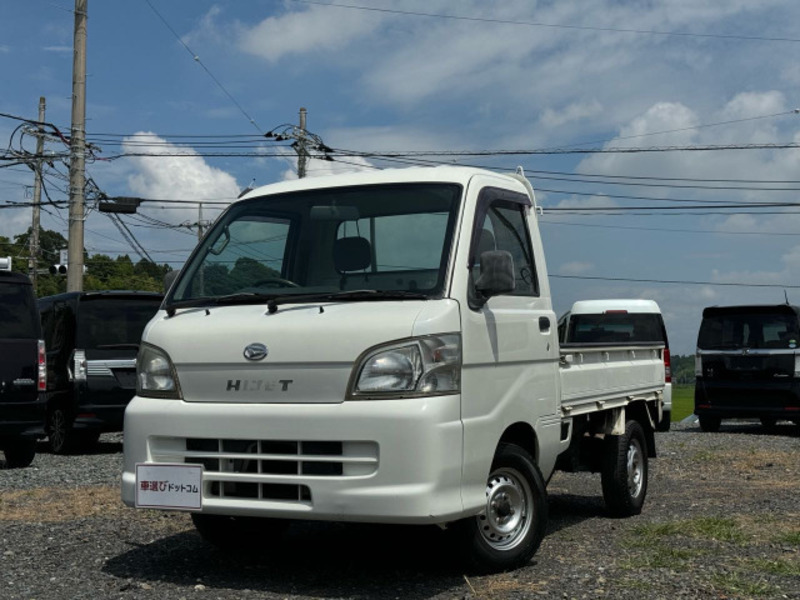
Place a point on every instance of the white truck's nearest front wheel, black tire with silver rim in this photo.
(512, 525)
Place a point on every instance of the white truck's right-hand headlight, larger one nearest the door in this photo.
(424, 366)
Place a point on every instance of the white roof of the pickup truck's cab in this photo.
(443, 174)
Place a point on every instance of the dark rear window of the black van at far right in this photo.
(749, 330)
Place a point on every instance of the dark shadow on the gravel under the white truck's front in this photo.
(312, 559)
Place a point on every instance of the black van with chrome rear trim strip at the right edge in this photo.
(748, 364)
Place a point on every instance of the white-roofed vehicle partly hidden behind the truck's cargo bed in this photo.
(620, 321)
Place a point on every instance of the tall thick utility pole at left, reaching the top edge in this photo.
(77, 175)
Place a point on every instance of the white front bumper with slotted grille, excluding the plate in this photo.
(388, 461)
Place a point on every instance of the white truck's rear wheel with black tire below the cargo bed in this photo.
(624, 473)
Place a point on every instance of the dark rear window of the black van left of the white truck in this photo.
(114, 323)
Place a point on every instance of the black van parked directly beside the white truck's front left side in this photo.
(92, 340)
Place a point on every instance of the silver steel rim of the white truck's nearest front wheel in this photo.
(505, 521)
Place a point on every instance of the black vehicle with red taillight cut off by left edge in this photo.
(22, 370)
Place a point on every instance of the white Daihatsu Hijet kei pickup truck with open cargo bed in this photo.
(381, 348)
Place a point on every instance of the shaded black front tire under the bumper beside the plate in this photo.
(240, 534)
